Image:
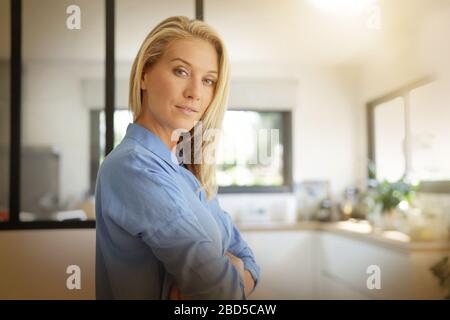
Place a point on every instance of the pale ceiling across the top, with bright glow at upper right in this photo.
(256, 31)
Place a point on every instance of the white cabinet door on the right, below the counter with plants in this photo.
(347, 260)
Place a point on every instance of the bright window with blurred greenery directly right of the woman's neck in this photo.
(254, 152)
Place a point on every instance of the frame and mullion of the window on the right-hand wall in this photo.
(426, 186)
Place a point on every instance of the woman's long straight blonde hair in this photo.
(175, 28)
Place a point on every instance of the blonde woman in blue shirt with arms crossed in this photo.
(161, 233)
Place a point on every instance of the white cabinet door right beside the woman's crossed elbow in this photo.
(285, 259)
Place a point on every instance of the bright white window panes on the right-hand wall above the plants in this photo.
(409, 134)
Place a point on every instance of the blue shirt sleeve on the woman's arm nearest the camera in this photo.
(149, 205)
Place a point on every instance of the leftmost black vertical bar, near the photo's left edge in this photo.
(16, 91)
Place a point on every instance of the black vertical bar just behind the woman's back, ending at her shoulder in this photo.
(109, 76)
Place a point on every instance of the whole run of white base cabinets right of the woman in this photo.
(318, 263)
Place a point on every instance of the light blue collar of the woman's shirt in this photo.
(153, 143)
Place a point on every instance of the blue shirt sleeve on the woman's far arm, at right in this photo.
(237, 245)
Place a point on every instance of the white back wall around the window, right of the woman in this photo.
(325, 131)
